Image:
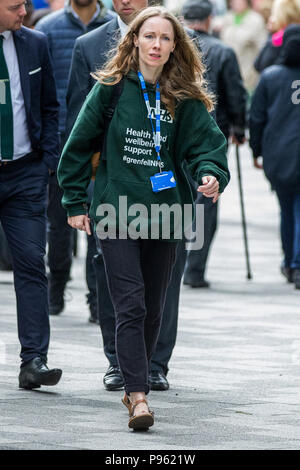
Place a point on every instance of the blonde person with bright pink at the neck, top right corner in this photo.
(283, 13)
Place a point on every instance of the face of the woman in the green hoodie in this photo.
(155, 42)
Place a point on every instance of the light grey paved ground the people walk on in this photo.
(235, 370)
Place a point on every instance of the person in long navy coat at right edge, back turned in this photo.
(274, 135)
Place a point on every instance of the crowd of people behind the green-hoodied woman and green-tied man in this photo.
(251, 51)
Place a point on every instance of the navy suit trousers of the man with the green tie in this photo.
(23, 195)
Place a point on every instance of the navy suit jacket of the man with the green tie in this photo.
(39, 92)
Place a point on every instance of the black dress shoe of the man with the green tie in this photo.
(36, 373)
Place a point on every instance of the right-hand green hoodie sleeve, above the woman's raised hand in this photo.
(202, 144)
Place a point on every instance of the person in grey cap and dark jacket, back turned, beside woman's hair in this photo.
(224, 79)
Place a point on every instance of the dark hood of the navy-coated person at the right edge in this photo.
(290, 54)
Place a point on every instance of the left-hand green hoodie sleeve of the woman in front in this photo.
(75, 169)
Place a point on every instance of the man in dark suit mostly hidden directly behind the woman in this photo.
(91, 52)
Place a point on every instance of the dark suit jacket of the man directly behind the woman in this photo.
(90, 52)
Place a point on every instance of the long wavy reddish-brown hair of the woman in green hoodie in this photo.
(182, 75)
